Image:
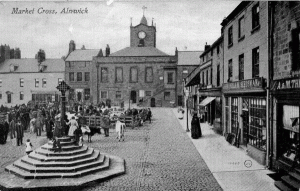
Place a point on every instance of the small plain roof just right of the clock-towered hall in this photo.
(189, 57)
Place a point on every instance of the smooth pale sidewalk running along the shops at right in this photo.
(231, 166)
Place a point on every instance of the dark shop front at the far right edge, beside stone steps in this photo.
(285, 143)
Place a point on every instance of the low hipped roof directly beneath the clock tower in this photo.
(139, 51)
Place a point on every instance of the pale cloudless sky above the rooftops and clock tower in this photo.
(185, 24)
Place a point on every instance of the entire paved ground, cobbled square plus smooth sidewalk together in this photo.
(162, 156)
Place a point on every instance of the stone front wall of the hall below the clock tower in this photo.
(158, 87)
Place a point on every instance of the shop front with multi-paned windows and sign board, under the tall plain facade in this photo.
(244, 116)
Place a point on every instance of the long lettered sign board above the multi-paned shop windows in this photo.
(245, 84)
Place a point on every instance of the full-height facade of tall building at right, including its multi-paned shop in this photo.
(246, 35)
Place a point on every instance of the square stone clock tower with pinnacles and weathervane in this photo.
(143, 35)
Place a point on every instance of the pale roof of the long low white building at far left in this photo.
(32, 65)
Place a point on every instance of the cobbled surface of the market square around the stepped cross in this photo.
(158, 156)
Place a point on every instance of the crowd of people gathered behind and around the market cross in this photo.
(16, 120)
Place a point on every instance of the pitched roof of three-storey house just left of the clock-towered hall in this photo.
(82, 55)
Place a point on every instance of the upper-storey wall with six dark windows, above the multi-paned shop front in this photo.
(252, 39)
